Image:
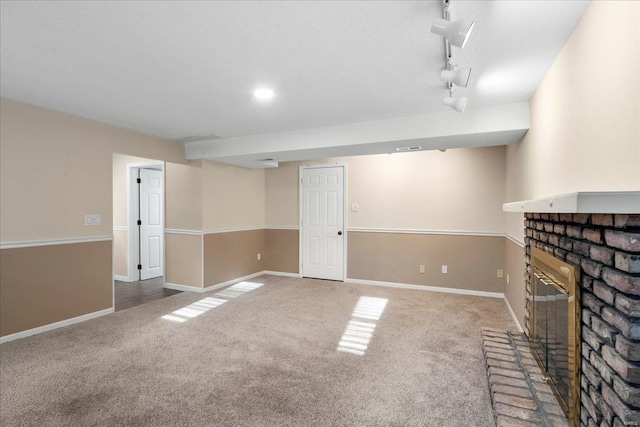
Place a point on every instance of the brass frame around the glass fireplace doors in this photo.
(566, 279)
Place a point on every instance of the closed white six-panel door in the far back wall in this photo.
(323, 223)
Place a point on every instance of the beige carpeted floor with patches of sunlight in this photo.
(270, 355)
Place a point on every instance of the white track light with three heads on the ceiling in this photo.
(456, 33)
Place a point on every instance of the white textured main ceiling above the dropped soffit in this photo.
(188, 69)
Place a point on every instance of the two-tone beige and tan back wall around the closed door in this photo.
(428, 190)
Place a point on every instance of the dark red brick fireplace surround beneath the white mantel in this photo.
(607, 250)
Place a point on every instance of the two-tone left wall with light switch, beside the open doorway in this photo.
(54, 169)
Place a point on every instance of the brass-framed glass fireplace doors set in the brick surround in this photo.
(555, 339)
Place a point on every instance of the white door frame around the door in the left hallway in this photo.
(133, 257)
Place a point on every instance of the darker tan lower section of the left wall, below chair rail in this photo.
(48, 284)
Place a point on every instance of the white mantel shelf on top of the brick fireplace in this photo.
(613, 202)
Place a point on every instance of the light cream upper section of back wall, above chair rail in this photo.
(426, 190)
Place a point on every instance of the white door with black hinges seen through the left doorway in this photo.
(151, 224)
